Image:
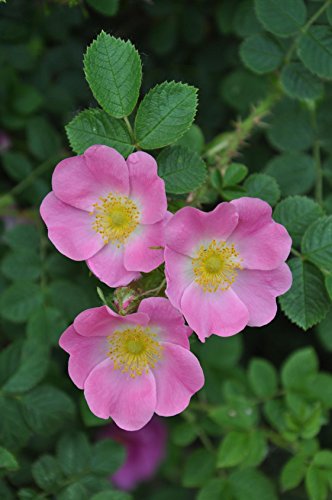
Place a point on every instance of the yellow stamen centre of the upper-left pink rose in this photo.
(116, 217)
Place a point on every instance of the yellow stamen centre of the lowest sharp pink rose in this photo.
(134, 350)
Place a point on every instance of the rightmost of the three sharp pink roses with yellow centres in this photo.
(225, 268)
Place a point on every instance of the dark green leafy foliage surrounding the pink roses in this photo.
(260, 429)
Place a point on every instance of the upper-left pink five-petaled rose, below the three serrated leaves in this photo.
(109, 212)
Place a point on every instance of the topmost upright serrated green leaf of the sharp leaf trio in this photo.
(114, 72)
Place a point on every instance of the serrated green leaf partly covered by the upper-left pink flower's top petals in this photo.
(94, 126)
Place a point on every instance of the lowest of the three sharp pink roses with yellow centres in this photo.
(132, 366)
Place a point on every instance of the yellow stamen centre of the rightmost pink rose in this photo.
(215, 266)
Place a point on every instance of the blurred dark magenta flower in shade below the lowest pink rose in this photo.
(145, 450)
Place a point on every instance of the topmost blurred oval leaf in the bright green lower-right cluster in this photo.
(297, 369)
